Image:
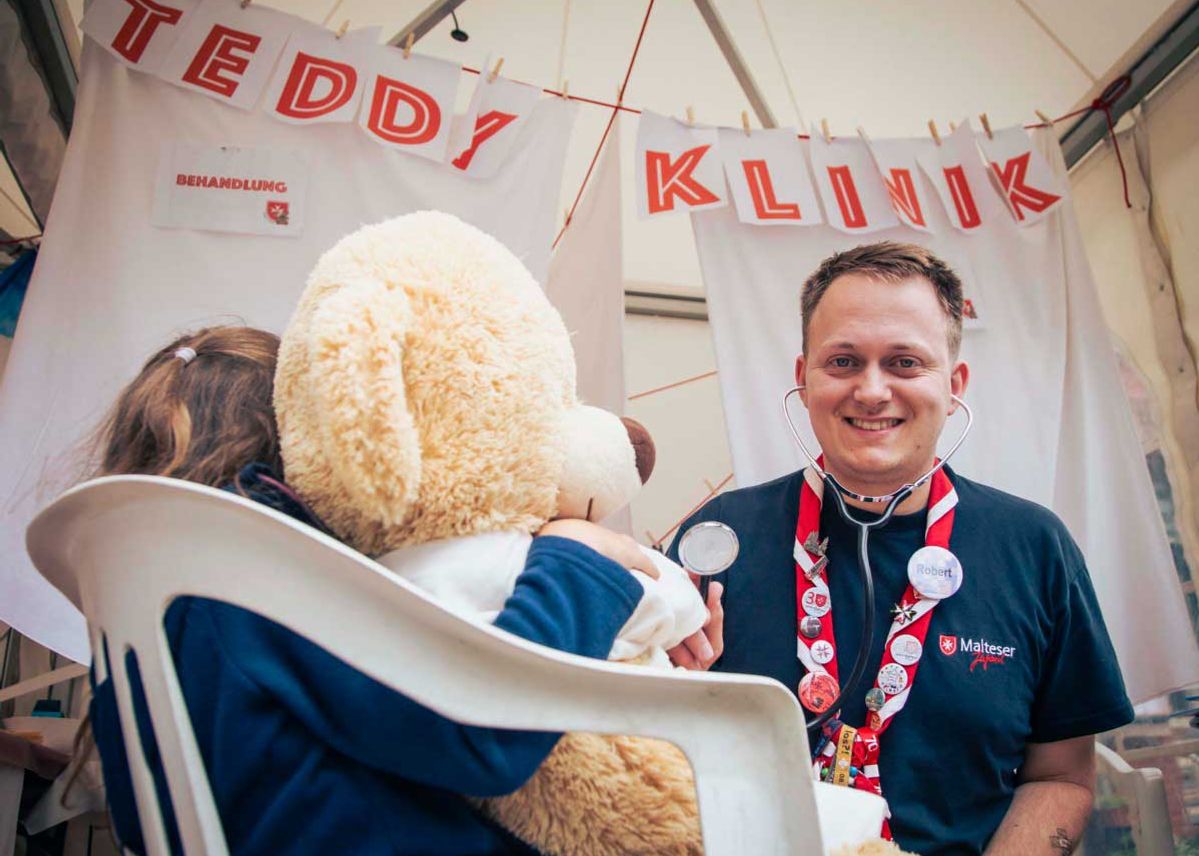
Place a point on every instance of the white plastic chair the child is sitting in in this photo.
(123, 548)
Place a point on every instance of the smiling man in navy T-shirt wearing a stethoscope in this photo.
(991, 670)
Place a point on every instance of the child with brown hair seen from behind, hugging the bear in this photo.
(304, 753)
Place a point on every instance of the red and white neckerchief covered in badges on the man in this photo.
(851, 756)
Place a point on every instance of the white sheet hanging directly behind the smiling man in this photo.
(1052, 424)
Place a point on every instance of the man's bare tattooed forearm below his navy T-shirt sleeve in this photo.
(1053, 801)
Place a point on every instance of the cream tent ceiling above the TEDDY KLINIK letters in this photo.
(885, 67)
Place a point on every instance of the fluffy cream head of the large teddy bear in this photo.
(426, 390)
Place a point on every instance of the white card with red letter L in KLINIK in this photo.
(769, 178)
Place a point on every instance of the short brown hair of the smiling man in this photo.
(891, 262)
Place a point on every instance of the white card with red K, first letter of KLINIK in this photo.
(678, 167)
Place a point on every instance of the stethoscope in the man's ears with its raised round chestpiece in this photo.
(712, 547)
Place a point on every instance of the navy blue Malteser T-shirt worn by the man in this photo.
(1019, 655)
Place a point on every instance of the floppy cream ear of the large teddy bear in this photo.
(367, 435)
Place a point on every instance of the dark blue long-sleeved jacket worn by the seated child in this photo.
(308, 756)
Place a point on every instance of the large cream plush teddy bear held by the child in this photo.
(429, 415)
